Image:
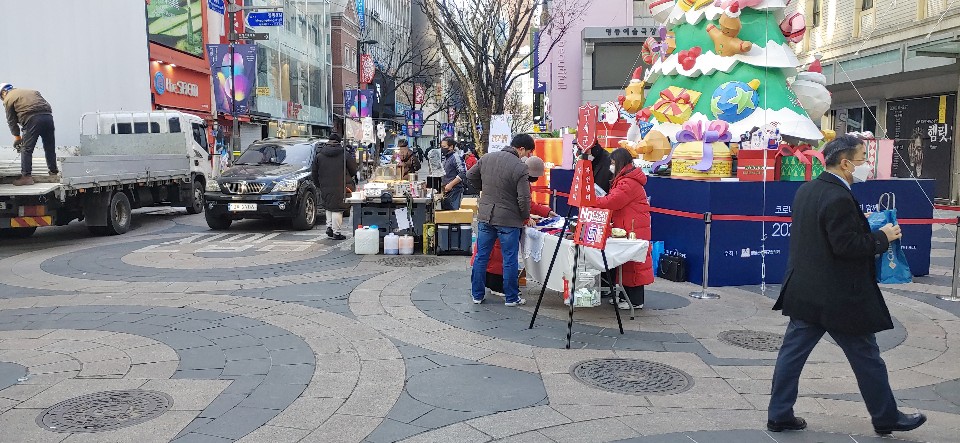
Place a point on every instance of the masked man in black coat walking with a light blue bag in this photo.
(831, 286)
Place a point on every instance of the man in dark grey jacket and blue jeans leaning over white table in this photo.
(503, 210)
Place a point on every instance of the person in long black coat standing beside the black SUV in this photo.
(335, 172)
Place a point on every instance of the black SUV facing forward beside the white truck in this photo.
(273, 178)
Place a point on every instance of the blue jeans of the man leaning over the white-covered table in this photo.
(487, 235)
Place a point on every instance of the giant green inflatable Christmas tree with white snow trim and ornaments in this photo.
(728, 60)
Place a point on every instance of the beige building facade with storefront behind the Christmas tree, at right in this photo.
(892, 69)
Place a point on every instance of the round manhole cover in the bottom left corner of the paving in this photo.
(104, 411)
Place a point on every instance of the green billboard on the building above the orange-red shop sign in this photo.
(176, 24)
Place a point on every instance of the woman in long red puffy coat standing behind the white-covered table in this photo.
(627, 201)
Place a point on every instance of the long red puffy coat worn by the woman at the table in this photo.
(631, 212)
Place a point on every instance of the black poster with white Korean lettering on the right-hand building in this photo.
(923, 130)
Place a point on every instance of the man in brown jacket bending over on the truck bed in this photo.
(28, 110)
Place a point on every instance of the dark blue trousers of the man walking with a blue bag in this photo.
(862, 353)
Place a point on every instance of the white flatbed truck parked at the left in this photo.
(125, 161)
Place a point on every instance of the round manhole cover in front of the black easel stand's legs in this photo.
(630, 376)
